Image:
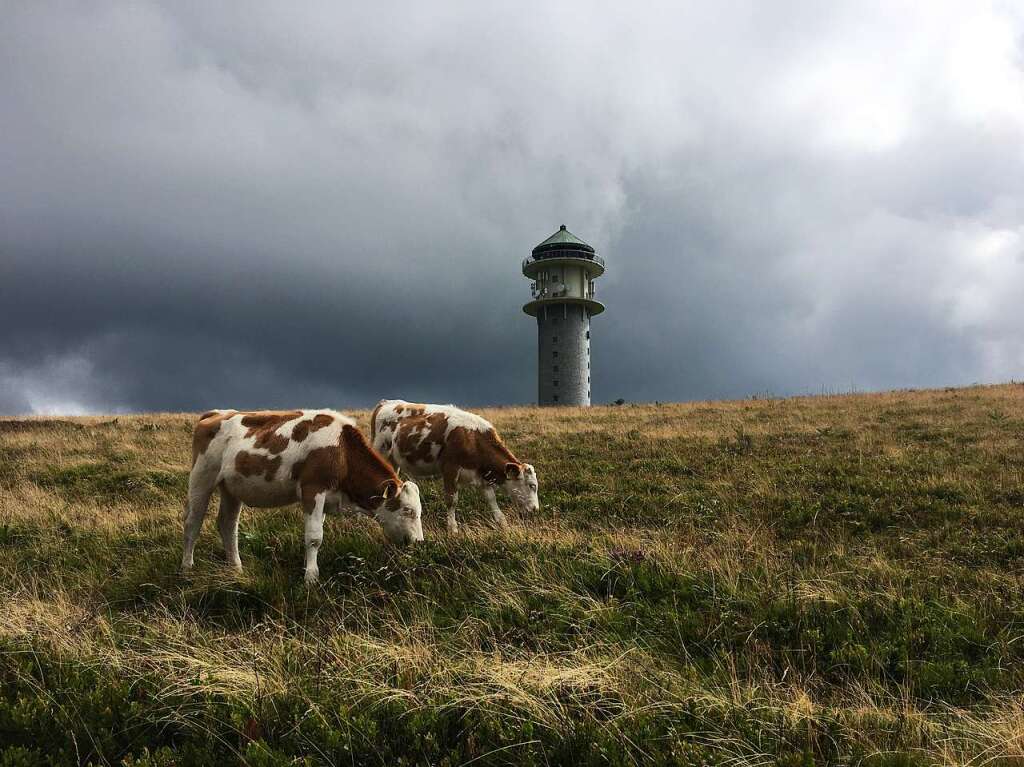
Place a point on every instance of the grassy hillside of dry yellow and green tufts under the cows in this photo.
(809, 581)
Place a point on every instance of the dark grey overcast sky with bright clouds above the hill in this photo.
(254, 205)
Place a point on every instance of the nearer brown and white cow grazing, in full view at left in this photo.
(317, 458)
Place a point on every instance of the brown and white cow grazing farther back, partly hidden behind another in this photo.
(431, 440)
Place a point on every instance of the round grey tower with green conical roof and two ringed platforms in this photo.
(563, 271)
